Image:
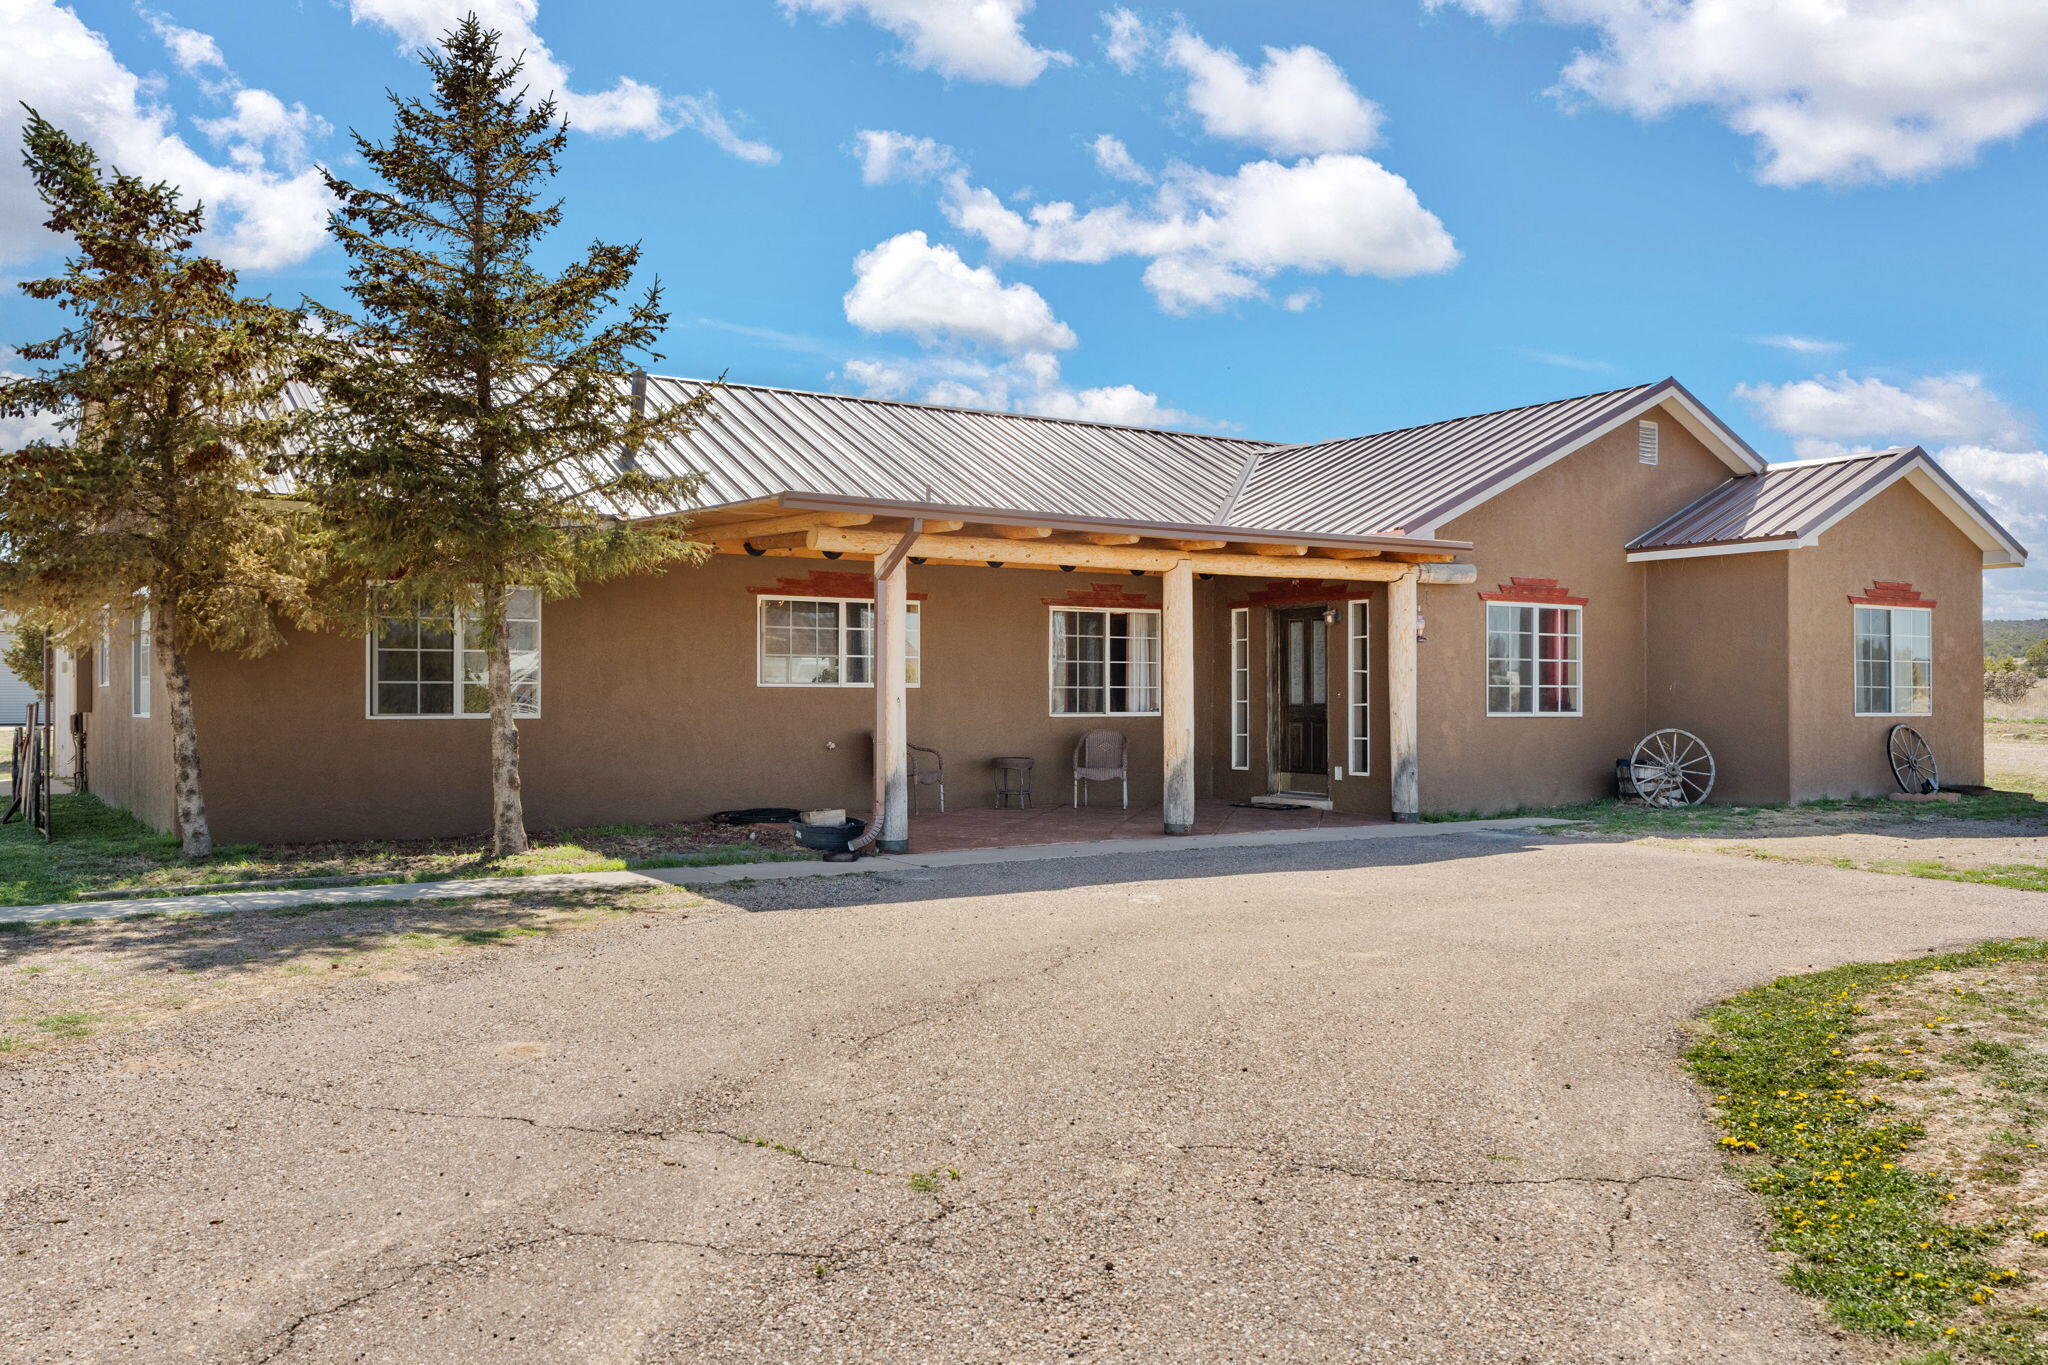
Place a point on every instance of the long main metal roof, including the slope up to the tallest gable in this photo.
(765, 445)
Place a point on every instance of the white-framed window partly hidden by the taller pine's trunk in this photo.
(429, 660)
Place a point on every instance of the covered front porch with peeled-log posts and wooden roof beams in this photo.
(898, 539)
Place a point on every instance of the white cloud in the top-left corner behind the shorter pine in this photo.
(265, 206)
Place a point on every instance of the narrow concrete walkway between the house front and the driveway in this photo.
(288, 899)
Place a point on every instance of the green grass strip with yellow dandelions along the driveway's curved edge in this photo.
(1865, 1233)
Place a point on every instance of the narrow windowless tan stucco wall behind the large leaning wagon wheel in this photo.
(1719, 666)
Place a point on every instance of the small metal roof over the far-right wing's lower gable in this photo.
(1791, 504)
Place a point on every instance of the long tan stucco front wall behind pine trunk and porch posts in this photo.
(652, 713)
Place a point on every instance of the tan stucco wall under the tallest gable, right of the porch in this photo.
(1568, 523)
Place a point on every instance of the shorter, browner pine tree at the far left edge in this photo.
(167, 388)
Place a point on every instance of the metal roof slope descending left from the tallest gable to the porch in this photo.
(1418, 478)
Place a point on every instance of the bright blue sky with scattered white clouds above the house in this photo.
(1310, 220)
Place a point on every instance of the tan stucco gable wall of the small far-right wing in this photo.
(1900, 537)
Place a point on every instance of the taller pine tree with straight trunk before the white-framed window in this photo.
(478, 431)
